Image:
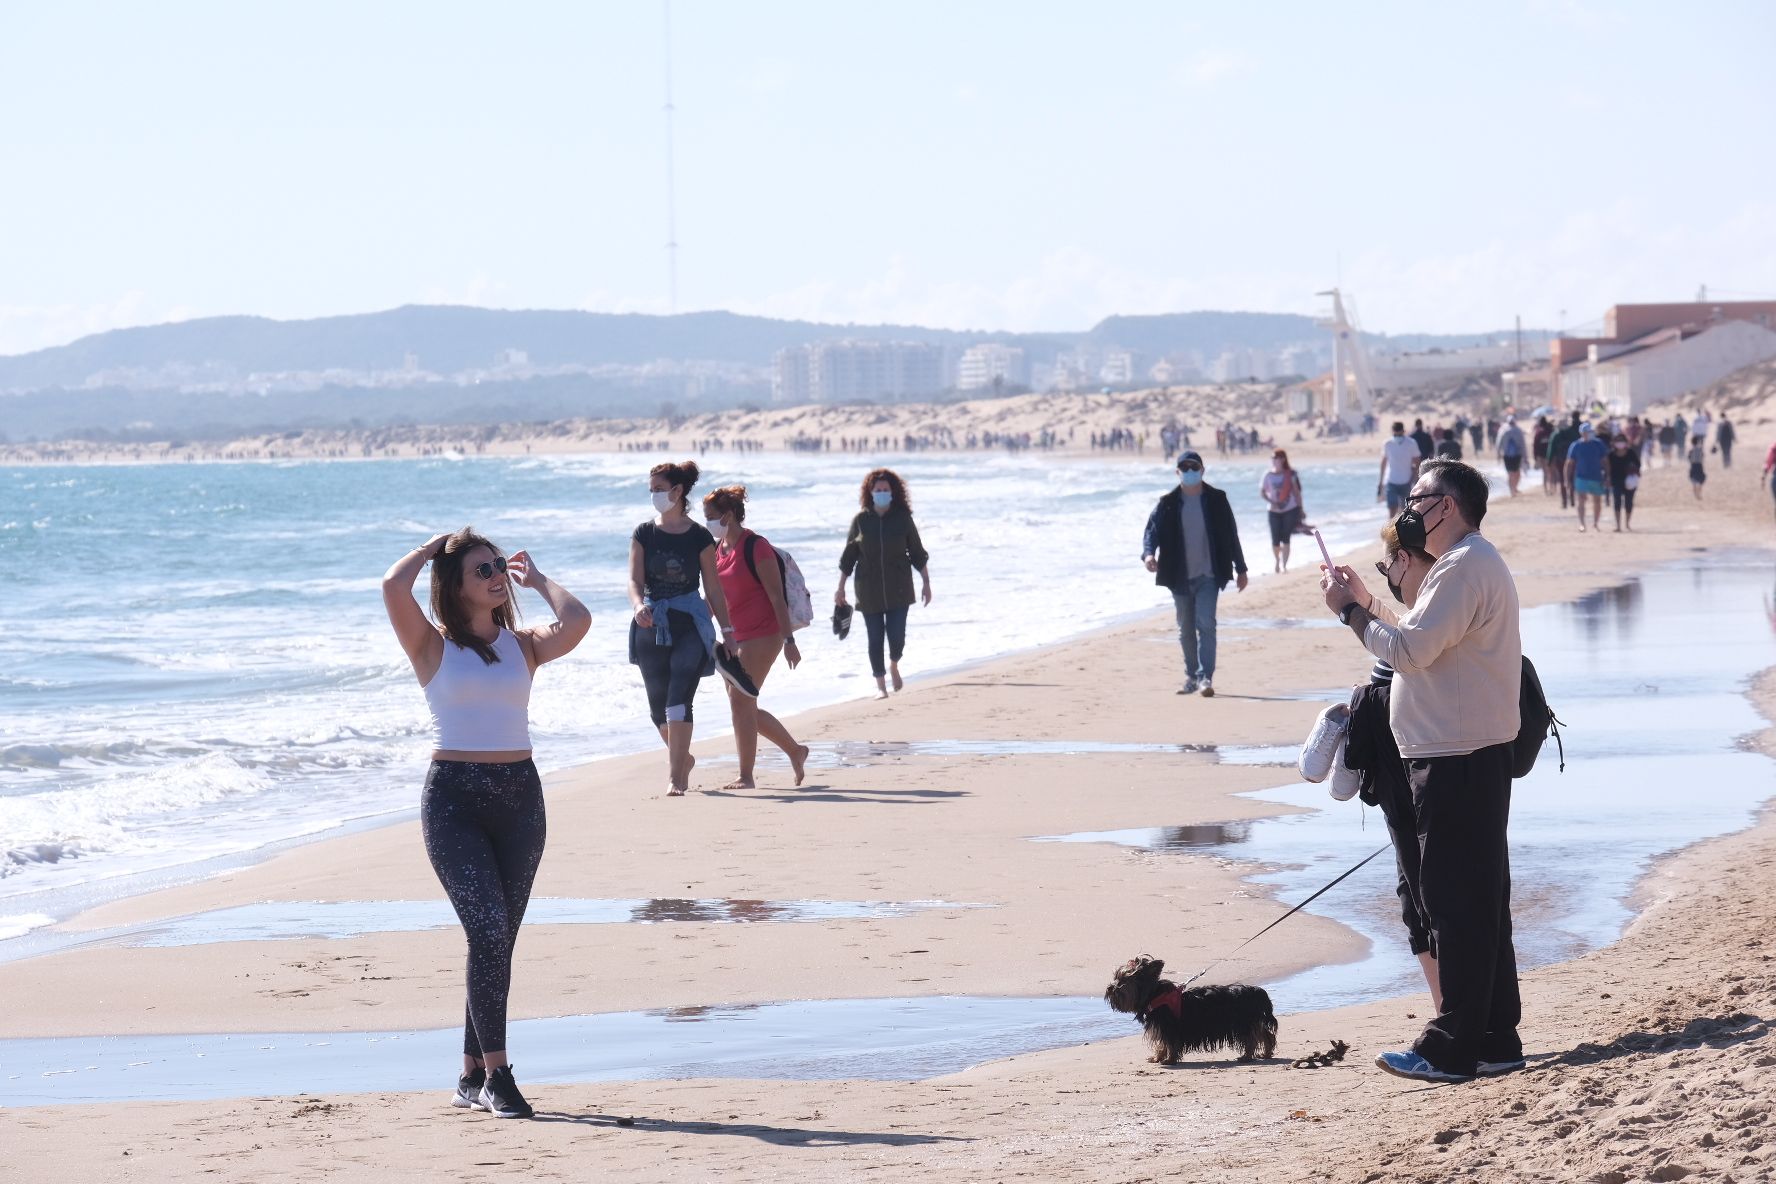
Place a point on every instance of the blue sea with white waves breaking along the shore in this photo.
(196, 667)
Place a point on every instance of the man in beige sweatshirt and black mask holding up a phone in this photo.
(1459, 672)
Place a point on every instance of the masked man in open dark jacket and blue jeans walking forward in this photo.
(1193, 546)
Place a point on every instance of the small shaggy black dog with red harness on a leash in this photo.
(1201, 1020)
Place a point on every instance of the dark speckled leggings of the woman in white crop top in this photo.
(484, 828)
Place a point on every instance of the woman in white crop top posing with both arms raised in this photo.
(482, 814)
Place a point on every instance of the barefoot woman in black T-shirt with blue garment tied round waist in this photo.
(672, 636)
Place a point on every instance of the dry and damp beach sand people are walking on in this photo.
(1651, 1059)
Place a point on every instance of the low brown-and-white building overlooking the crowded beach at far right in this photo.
(1654, 352)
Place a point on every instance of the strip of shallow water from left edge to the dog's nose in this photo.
(892, 1039)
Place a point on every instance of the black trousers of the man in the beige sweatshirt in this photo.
(1463, 807)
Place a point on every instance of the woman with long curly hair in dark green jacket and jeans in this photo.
(884, 549)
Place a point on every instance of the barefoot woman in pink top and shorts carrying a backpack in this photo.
(761, 628)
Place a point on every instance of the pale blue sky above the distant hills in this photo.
(990, 166)
